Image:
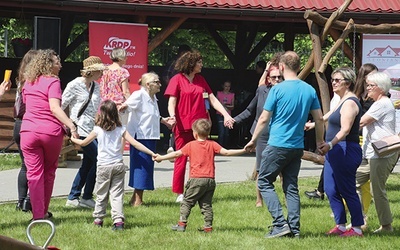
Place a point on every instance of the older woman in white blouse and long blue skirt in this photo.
(143, 124)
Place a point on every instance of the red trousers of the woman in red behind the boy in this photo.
(178, 180)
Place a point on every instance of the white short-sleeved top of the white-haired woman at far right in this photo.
(385, 115)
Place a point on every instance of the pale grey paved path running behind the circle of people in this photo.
(228, 169)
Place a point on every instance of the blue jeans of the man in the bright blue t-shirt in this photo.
(286, 161)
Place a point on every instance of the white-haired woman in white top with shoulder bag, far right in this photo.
(380, 121)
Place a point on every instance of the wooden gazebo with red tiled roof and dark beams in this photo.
(246, 18)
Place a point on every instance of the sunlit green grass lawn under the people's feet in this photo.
(238, 224)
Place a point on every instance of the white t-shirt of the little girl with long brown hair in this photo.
(109, 145)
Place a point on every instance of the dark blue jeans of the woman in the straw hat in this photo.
(86, 175)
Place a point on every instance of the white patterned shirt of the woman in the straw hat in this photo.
(75, 95)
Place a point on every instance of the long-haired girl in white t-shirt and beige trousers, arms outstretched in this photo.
(110, 169)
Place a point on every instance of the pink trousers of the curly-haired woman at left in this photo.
(41, 154)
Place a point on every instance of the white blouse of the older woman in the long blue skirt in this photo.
(144, 116)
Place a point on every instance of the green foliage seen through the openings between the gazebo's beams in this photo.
(198, 39)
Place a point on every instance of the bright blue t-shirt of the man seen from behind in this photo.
(290, 103)
